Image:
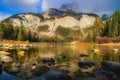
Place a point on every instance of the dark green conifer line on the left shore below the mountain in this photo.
(8, 31)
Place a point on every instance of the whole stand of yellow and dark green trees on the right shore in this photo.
(104, 30)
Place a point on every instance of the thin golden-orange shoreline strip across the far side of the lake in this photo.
(71, 43)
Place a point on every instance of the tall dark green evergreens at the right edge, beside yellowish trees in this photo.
(112, 25)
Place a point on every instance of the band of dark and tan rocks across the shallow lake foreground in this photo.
(49, 69)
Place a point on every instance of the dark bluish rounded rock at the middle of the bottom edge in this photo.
(54, 75)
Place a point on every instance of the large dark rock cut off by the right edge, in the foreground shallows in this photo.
(111, 66)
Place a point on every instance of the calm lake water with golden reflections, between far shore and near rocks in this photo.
(63, 54)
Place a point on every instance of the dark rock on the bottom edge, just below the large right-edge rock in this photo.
(104, 75)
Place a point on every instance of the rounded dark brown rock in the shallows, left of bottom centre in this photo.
(39, 70)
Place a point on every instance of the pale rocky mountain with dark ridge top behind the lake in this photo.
(51, 20)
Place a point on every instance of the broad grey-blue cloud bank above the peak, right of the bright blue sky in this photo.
(85, 6)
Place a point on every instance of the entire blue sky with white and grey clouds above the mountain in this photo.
(11, 7)
